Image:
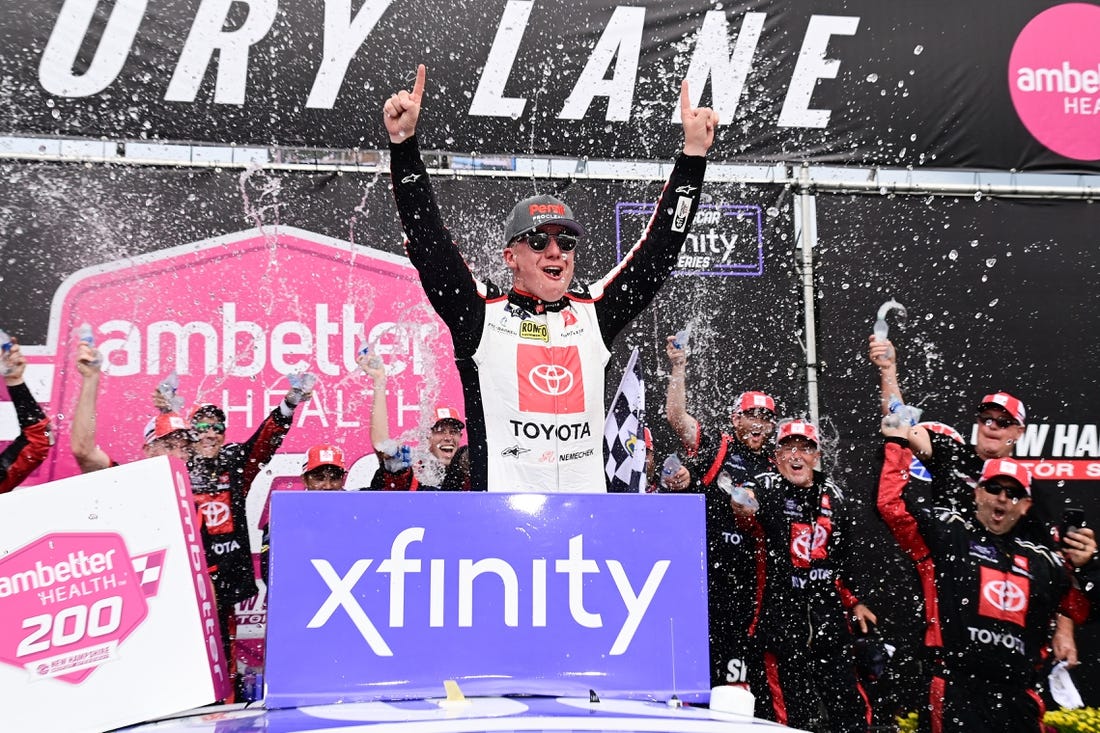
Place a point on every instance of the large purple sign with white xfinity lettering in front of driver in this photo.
(384, 596)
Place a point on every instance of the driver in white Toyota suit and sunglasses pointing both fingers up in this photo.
(532, 359)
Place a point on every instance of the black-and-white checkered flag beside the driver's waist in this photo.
(624, 442)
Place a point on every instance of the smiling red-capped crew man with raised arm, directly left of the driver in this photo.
(444, 467)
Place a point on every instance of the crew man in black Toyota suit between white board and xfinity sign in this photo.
(222, 477)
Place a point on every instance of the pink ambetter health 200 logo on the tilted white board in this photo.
(69, 600)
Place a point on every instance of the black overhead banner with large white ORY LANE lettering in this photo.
(588, 78)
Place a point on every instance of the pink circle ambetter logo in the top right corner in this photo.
(1054, 78)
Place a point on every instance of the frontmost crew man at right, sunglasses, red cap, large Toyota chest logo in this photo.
(998, 592)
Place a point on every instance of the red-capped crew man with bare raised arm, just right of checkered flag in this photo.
(741, 454)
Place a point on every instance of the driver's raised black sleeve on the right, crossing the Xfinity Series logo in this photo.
(634, 283)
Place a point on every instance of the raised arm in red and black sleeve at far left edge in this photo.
(32, 445)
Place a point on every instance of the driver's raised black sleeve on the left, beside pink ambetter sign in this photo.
(447, 280)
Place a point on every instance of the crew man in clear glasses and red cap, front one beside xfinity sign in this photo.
(804, 640)
